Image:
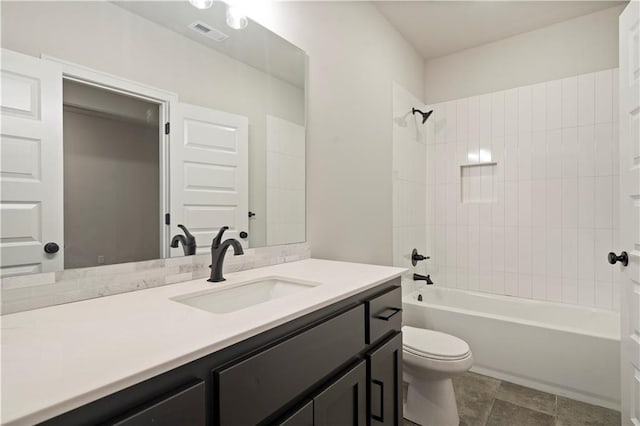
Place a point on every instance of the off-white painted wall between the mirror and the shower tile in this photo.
(354, 56)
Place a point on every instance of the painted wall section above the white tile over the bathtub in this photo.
(585, 44)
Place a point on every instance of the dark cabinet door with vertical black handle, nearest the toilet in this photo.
(385, 382)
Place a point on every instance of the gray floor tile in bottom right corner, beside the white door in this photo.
(574, 413)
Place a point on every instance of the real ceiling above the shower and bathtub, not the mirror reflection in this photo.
(438, 28)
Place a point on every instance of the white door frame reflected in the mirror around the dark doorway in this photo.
(167, 103)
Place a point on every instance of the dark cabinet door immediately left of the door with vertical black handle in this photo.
(343, 403)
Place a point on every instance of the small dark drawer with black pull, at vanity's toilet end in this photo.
(384, 314)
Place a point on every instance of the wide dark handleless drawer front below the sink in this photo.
(255, 388)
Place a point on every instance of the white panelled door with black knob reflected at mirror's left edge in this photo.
(31, 185)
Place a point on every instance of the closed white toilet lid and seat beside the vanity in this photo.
(433, 344)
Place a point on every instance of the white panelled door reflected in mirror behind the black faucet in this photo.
(209, 174)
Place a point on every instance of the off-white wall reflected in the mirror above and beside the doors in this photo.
(105, 37)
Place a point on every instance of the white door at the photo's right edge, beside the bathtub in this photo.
(630, 210)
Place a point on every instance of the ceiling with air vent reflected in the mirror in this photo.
(254, 45)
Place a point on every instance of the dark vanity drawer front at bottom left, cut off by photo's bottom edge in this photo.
(185, 406)
